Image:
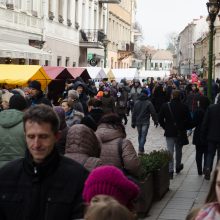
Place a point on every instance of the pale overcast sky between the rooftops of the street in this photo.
(158, 18)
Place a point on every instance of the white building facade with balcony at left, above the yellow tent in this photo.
(51, 31)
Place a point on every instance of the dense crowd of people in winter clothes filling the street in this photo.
(57, 147)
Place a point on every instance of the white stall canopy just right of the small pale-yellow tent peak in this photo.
(129, 74)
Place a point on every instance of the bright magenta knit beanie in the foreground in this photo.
(111, 181)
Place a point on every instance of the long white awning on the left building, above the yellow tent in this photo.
(15, 50)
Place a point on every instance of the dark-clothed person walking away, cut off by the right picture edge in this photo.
(211, 133)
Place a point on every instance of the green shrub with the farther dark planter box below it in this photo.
(157, 163)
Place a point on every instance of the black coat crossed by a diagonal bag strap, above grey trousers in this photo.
(181, 114)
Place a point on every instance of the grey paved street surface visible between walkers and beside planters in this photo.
(187, 189)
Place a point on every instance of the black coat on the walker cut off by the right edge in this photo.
(211, 124)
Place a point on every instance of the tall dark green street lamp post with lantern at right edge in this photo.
(213, 9)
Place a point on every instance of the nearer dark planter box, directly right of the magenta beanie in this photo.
(145, 198)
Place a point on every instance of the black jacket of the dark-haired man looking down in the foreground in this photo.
(48, 191)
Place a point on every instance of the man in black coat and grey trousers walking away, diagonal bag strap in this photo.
(173, 123)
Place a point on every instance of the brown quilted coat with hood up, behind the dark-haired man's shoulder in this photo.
(83, 146)
